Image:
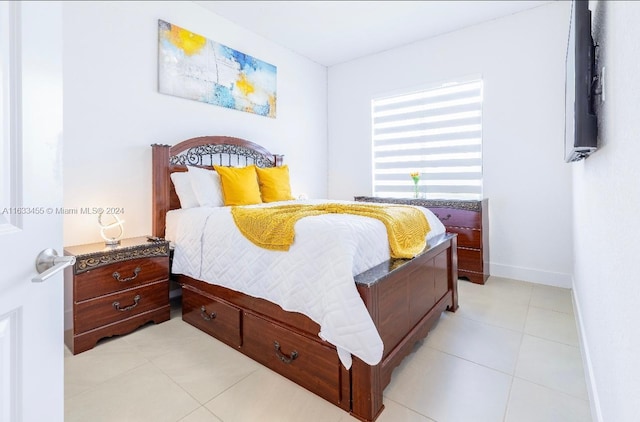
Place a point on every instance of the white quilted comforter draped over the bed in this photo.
(315, 277)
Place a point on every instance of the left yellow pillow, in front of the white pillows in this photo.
(239, 185)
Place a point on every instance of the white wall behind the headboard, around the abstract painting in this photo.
(113, 111)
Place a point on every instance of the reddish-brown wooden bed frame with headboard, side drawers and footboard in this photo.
(404, 297)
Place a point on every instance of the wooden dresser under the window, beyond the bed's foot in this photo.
(469, 219)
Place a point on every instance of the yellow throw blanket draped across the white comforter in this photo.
(272, 227)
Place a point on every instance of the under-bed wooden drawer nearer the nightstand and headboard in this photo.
(212, 316)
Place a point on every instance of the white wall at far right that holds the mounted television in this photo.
(607, 224)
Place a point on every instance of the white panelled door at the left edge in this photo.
(31, 314)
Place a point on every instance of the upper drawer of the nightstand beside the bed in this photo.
(119, 276)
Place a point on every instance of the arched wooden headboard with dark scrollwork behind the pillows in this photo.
(204, 151)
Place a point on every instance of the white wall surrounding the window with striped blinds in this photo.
(521, 60)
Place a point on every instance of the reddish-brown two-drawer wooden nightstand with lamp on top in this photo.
(113, 290)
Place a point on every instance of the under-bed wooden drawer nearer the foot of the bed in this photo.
(294, 356)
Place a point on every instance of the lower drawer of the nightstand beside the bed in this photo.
(105, 310)
